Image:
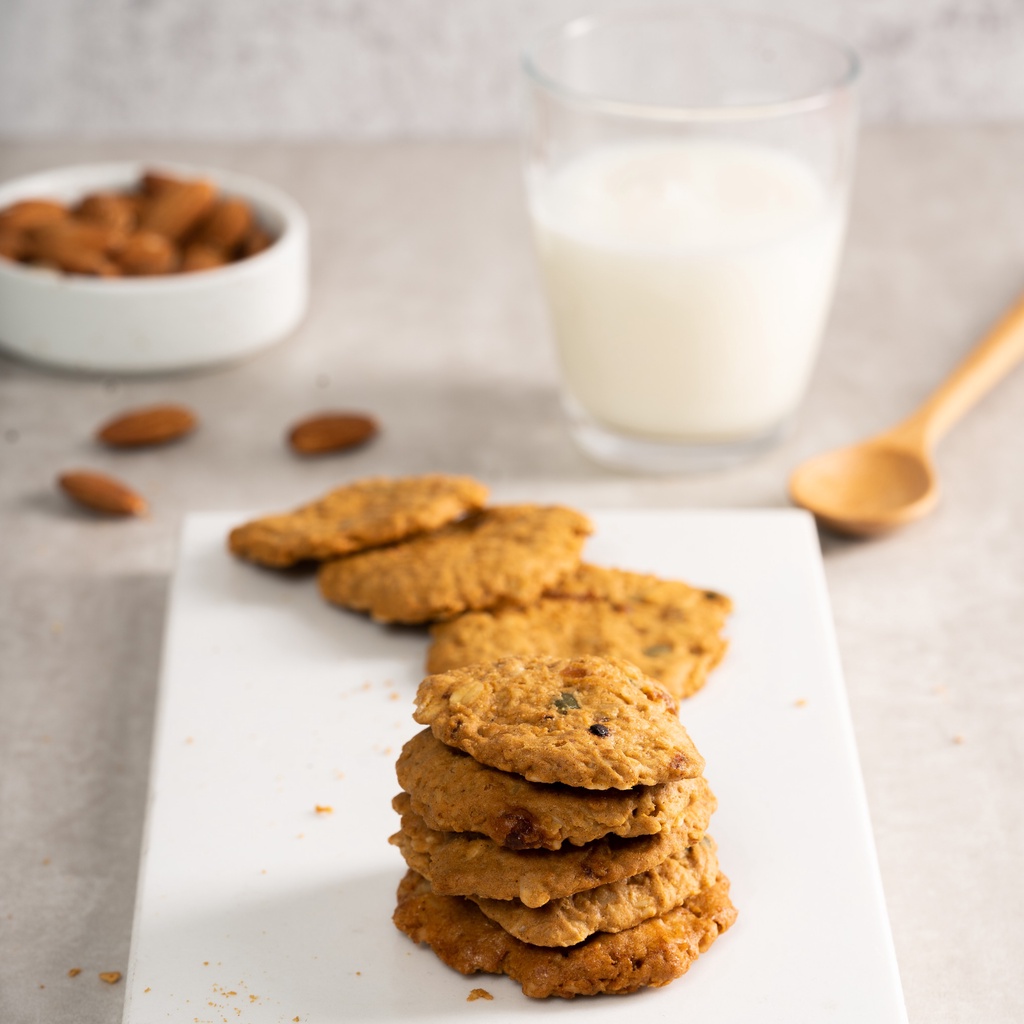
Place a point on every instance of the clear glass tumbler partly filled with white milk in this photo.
(688, 174)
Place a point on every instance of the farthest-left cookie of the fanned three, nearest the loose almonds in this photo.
(365, 515)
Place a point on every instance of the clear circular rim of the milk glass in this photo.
(584, 24)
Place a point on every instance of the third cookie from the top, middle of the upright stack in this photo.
(467, 864)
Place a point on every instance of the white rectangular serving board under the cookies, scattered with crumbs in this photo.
(255, 908)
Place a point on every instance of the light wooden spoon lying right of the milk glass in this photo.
(888, 481)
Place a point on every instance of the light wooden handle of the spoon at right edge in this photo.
(988, 364)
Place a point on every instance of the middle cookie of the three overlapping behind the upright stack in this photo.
(504, 553)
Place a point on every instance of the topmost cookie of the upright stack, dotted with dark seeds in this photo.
(591, 722)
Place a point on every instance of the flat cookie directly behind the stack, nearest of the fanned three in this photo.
(671, 631)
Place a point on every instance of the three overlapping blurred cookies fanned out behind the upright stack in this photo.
(494, 582)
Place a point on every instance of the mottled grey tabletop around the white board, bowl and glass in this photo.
(426, 312)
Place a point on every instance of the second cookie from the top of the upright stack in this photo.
(452, 792)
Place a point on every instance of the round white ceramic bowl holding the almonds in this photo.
(147, 325)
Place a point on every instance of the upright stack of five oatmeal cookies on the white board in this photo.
(553, 820)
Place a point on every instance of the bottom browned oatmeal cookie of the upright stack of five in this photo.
(653, 954)
